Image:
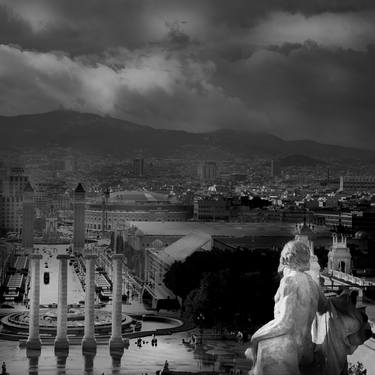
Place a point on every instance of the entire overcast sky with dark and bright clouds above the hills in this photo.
(295, 68)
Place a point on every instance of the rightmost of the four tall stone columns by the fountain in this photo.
(116, 342)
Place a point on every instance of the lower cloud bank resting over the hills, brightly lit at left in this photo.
(309, 92)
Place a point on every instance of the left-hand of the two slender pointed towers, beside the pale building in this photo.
(28, 218)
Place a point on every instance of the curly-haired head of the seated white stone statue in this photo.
(295, 255)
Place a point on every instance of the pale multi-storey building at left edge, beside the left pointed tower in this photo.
(14, 182)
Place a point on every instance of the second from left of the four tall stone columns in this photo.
(61, 341)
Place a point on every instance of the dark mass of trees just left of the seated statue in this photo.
(232, 288)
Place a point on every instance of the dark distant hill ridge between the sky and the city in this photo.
(105, 135)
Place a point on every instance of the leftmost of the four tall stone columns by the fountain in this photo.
(33, 341)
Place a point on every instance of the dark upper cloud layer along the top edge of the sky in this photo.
(89, 26)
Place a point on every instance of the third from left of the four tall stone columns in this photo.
(89, 342)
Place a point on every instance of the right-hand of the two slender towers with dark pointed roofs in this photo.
(79, 219)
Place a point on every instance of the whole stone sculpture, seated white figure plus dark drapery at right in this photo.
(309, 334)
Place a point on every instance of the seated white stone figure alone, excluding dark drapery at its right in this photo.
(284, 345)
